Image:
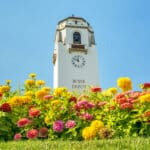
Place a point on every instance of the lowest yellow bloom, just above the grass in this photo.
(88, 133)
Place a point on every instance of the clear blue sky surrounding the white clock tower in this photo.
(122, 34)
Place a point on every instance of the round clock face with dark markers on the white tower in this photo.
(78, 61)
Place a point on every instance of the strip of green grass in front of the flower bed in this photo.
(111, 144)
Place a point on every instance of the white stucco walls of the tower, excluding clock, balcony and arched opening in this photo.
(67, 75)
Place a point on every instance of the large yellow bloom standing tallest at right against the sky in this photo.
(124, 83)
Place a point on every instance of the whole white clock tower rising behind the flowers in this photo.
(75, 55)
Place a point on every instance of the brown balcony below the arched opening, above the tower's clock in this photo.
(77, 48)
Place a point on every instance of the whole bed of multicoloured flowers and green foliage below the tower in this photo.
(38, 111)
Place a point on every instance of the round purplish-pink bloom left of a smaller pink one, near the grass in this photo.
(58, 126)
